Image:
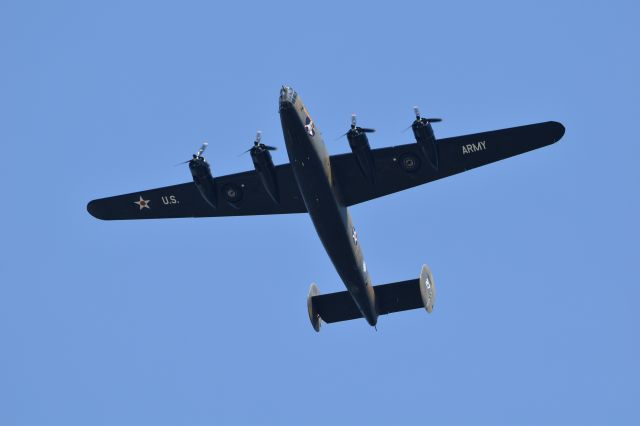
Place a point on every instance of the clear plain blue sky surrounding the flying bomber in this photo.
(204, 321)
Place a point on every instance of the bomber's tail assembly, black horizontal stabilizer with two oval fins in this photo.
(393, 297)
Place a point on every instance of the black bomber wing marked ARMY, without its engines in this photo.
(456, 155)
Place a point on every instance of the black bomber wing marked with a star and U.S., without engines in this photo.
(184, 200)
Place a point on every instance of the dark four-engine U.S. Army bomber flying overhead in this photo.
(325, 186)
